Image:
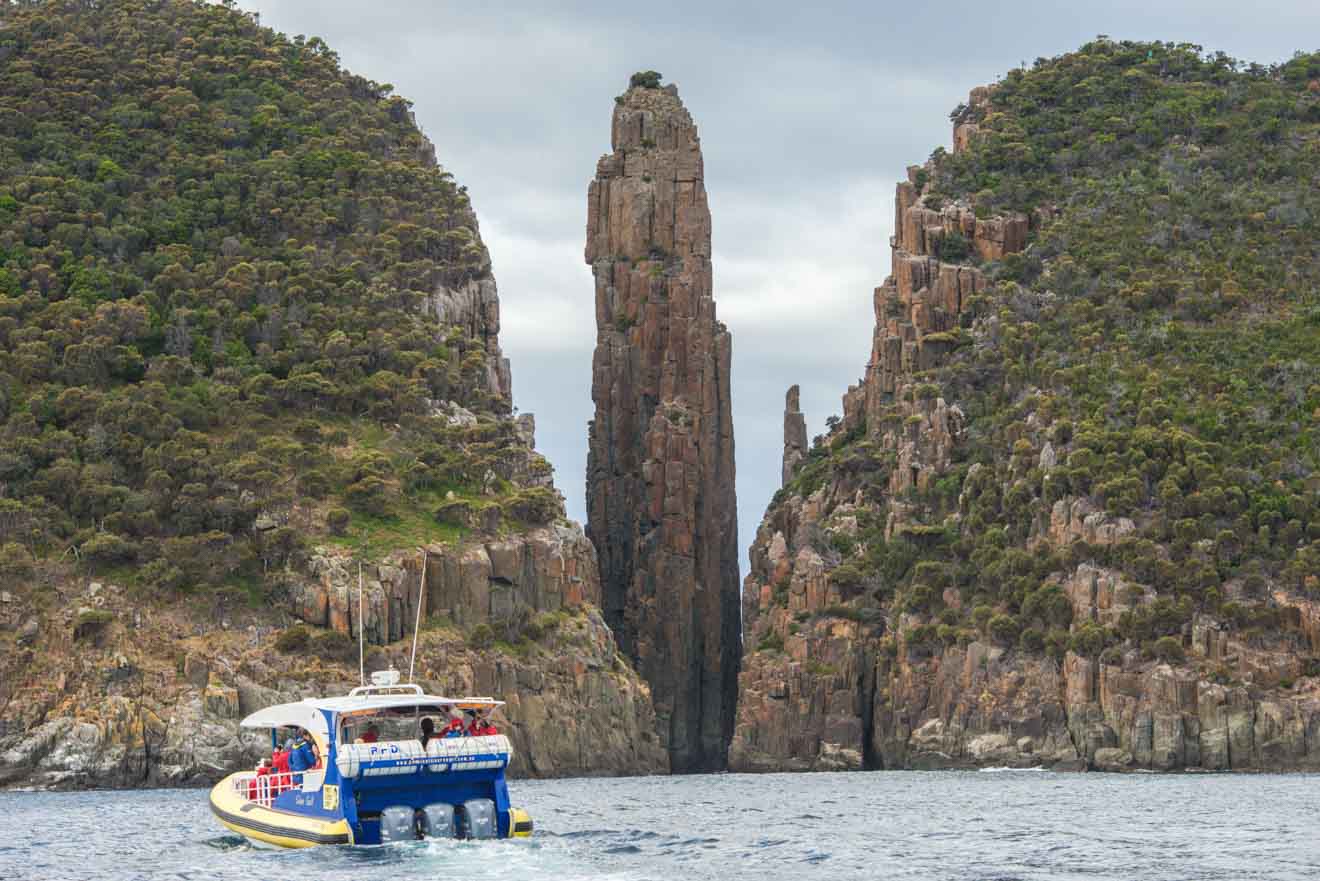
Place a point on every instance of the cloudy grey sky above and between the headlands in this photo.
(808, 117)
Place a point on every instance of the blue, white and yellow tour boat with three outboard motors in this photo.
(373, 781)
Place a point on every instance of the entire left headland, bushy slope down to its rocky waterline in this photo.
(310, 390)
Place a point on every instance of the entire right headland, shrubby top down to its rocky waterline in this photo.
(1072, 513)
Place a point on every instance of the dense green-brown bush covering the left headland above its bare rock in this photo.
(221, 335)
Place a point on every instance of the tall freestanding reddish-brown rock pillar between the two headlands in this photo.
(661, 470)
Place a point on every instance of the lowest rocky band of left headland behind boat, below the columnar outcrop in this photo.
(154, 695)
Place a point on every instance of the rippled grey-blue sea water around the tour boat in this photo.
(930, 826)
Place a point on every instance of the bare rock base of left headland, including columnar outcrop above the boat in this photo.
(106, 687)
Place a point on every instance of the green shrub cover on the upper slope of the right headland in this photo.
(1161, 335)
